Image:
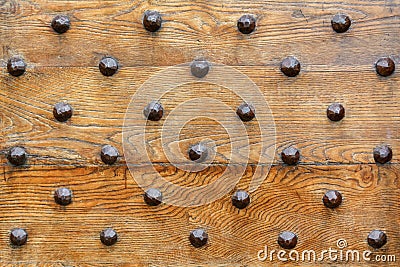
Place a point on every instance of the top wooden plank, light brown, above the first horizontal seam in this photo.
(200, 29)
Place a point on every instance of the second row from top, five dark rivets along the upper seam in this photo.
(289, 66)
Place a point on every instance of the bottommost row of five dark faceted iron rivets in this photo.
(199, 238)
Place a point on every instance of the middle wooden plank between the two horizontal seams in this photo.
(298, 106)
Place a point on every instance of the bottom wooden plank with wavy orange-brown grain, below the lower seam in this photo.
(289, 199)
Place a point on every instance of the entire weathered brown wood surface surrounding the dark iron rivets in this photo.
(335, 68)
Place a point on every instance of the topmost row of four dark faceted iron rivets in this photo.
(246, 24)
